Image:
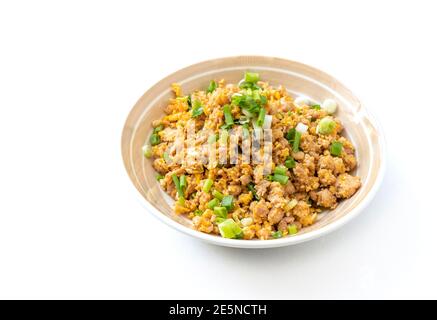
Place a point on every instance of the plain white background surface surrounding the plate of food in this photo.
(70, 223)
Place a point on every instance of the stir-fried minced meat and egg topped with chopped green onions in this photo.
(249, 160)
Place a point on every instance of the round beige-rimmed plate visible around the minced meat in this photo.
(299, 79)
